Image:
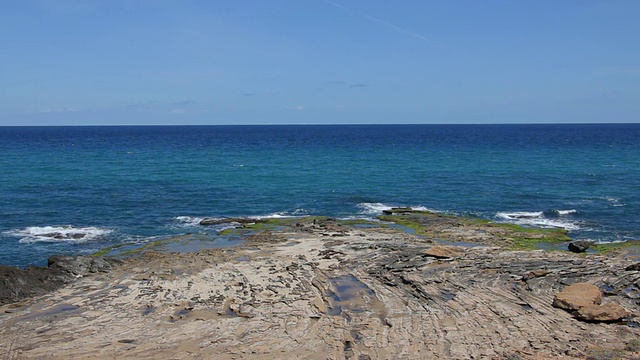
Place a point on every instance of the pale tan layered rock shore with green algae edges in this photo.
(316, 288)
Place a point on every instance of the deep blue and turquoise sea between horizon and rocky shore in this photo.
(122, 184)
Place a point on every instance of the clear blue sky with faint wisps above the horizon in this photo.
(68, 62)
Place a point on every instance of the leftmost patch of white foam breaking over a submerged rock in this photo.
(66, 233)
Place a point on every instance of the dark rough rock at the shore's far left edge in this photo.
(17, 284)
